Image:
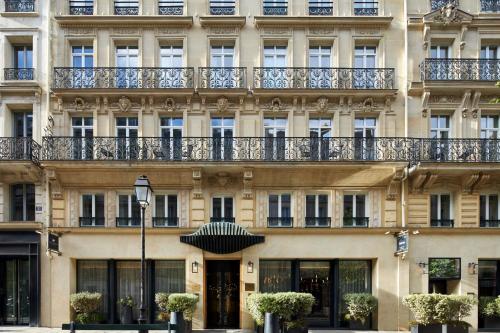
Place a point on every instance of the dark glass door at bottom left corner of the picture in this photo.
(14, 292)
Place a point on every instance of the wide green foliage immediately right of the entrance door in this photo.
(291, 308)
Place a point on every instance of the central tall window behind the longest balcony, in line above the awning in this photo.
(222, 136)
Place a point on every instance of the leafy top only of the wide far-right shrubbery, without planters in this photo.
(439, 309)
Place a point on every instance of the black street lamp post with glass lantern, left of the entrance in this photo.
(143, 193)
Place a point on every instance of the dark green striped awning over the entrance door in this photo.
(222, 238)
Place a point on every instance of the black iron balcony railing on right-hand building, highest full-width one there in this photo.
(460, 70)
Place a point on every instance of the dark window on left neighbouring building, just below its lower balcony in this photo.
(23, 202)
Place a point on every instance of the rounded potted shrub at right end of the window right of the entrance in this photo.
(359, 308)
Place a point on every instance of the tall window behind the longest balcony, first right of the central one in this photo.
(275, 138)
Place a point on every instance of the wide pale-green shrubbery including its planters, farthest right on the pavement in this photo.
(436, 313)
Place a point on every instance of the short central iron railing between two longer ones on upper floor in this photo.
(222, 77)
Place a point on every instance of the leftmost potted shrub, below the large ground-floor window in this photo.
(86, 306)
